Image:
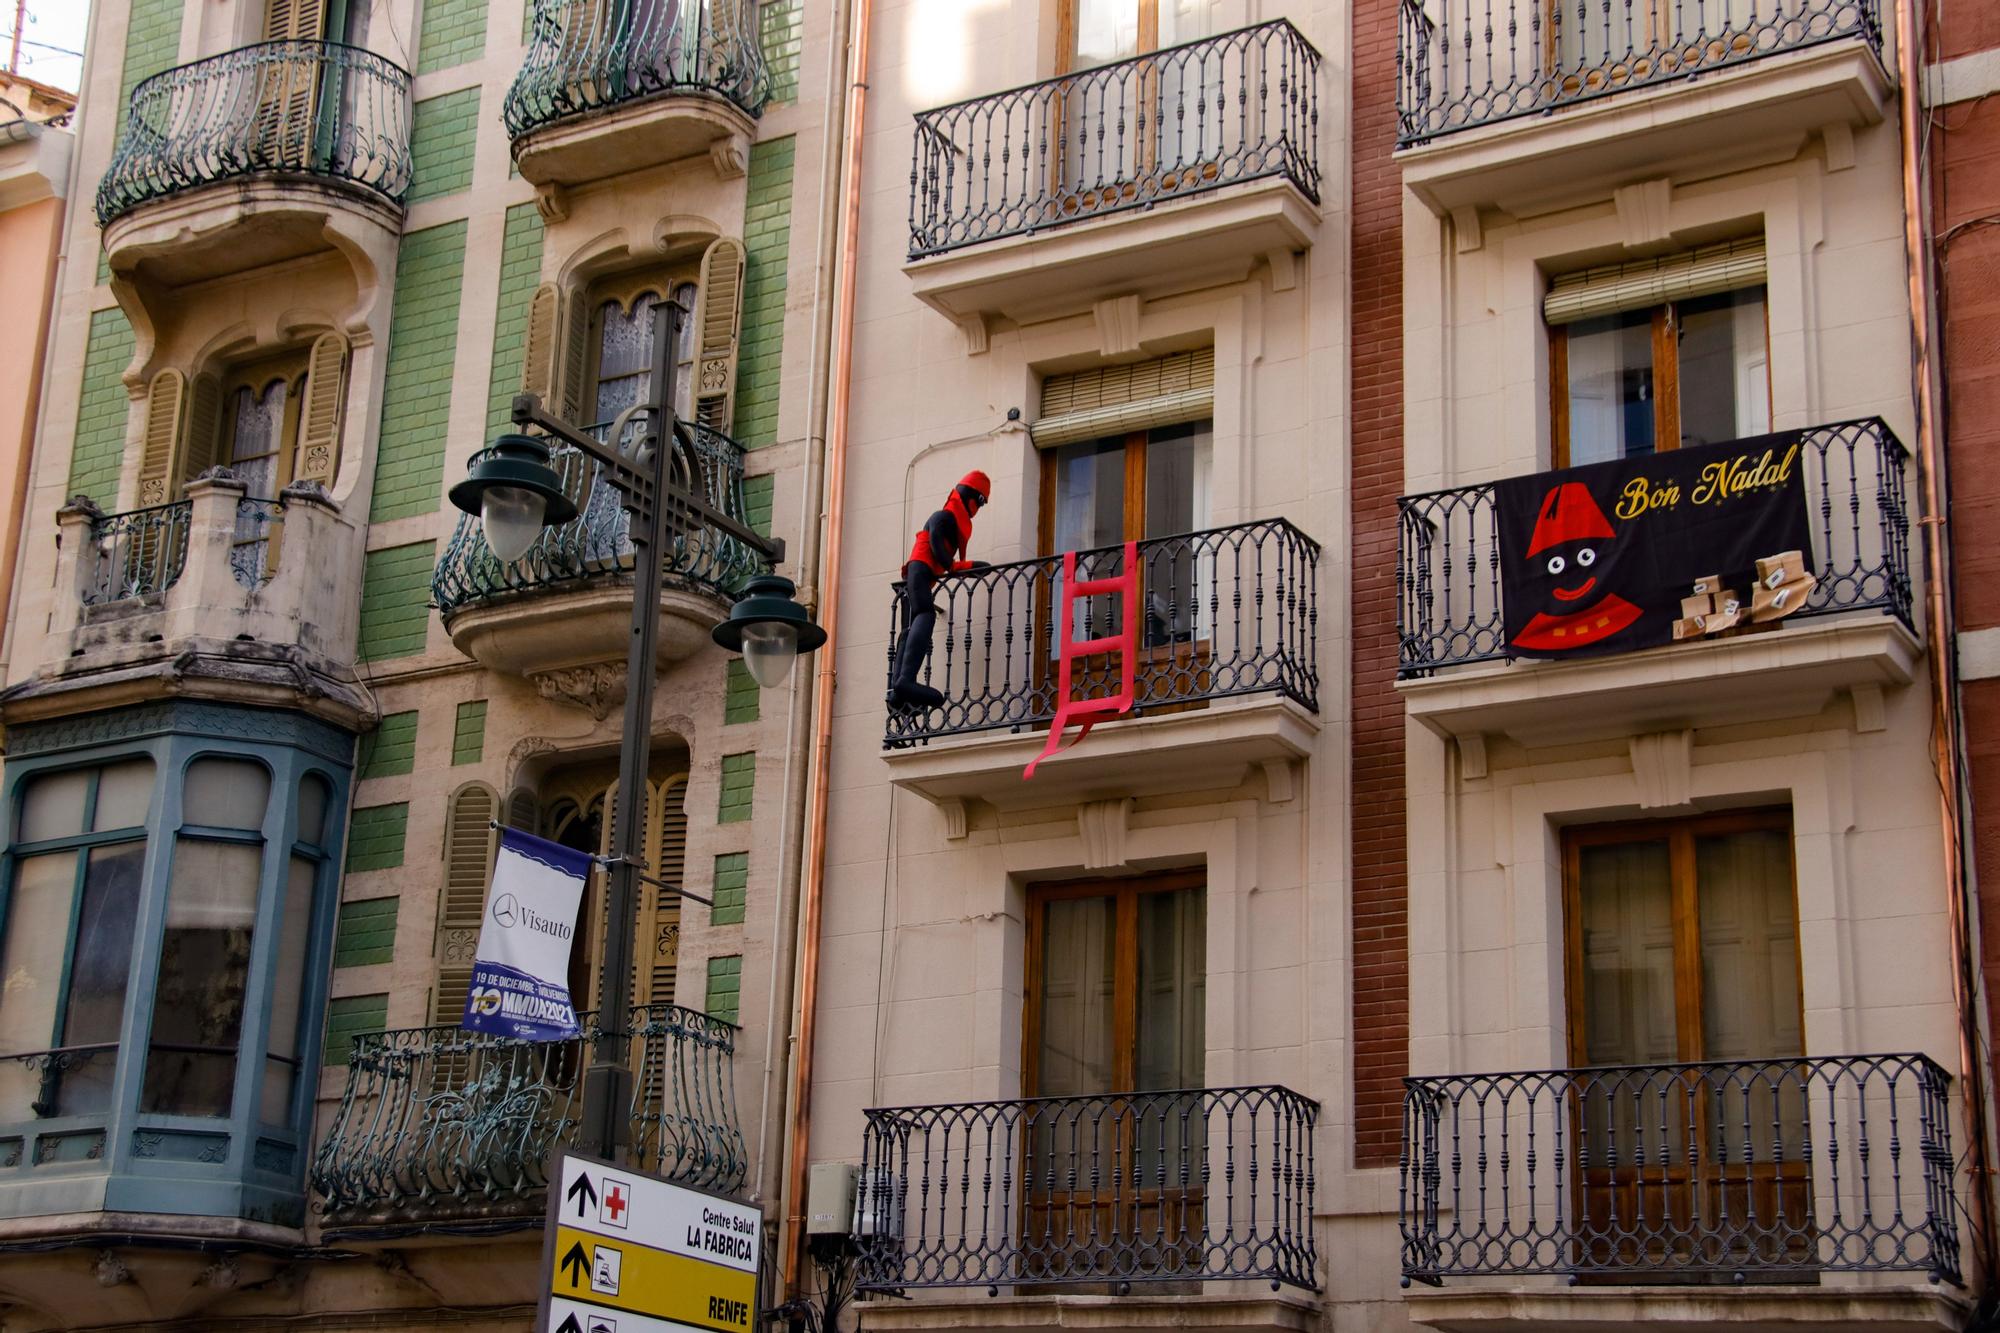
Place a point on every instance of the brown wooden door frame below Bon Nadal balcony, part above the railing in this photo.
(1679, 836)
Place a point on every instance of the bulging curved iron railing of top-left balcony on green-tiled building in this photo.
(315, 109)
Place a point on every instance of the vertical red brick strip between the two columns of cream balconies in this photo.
(1381, 894)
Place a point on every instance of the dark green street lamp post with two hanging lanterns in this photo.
(515, 493)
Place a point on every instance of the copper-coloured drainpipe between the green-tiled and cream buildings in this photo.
(799, 1144)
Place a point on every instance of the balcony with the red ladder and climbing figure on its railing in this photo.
(1227, 672)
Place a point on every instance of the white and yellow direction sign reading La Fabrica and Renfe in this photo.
(627, 1252)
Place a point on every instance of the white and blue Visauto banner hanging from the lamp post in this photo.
(523, 964)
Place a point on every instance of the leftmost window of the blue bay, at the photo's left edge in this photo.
(71, 904)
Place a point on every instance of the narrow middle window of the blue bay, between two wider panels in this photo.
(205, 950)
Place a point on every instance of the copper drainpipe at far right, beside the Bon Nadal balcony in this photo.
(1937, 627)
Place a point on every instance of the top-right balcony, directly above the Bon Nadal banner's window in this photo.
(1531, 105)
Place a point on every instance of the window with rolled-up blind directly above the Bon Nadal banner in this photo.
(1659, 355)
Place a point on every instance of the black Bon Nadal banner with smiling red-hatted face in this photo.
(1627, 555)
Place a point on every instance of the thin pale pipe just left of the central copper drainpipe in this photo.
(781, 1018)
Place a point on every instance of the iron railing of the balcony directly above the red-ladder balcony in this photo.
(1125, 135)
